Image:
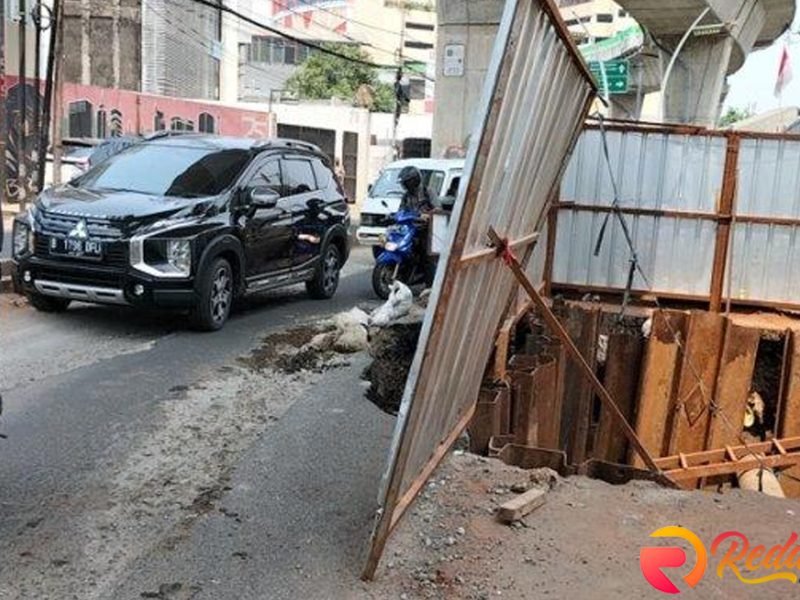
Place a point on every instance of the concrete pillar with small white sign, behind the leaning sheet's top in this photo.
(466, 34)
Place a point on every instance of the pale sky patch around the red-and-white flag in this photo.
(754, 83)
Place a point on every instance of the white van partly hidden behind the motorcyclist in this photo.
(441, 177)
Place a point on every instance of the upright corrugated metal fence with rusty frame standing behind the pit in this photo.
(704, 206)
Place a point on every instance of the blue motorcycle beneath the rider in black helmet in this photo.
(404, 257)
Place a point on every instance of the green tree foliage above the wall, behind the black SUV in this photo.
(323, 76)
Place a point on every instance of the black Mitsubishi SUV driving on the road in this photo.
(188, 222)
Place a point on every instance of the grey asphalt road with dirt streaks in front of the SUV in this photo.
(142, 459)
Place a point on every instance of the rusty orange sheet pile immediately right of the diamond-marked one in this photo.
(734, 383)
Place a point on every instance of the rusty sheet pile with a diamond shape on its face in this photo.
(697, 383)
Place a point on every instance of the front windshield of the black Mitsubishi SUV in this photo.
(167, 170)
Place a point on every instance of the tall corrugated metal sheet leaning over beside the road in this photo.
(537, 95)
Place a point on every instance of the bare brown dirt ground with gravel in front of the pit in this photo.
(584, 542)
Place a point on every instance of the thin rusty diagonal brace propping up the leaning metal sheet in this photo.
(552, 321)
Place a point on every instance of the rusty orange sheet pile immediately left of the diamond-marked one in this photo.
(660, 369)
